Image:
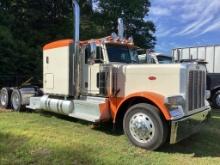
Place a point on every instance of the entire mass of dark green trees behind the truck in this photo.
(27, 25)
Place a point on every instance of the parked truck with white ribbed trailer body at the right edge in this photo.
(211, 55)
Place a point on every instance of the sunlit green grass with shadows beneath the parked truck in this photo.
(41, 138)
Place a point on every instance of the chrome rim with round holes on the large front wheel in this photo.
(141, 127)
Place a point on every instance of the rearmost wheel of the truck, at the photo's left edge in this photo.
(5, 97)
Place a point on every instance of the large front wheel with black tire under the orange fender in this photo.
(144, 126)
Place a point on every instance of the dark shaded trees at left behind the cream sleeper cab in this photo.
(27, 25)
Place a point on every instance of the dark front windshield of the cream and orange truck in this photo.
(121, 53)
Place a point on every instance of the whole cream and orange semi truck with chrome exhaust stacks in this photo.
(100, 80)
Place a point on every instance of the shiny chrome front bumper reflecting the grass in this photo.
(184, 127)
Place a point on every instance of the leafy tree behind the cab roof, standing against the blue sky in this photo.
(133, 12)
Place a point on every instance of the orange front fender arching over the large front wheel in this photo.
(155, 98)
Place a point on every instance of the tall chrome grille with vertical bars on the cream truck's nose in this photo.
(196, 89)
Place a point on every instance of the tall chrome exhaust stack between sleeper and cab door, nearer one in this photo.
(76, 74)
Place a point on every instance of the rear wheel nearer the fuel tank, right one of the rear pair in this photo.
(16, 100)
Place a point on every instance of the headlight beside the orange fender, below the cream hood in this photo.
(175, 106)
